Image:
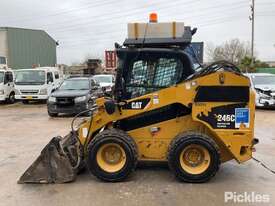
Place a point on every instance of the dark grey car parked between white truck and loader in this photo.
(73, 96)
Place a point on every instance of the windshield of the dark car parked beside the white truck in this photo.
(75, 84)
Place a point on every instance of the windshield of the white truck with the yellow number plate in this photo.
(29, 77)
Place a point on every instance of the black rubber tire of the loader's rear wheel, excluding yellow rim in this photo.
(185, 139)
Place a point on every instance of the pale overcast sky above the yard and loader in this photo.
(88, 27)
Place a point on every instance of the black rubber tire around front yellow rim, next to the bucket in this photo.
(112, 136)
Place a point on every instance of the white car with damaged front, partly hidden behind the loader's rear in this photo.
(264, 85)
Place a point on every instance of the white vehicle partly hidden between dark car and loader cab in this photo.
(106, 81)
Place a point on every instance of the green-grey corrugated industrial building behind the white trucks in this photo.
(24, 48)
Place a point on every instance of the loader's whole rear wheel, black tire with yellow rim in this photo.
(193, 157)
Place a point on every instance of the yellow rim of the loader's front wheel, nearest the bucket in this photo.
(111, 157)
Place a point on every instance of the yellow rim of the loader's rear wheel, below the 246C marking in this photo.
(195, 159)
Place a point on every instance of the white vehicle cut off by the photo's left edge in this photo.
(7, 91)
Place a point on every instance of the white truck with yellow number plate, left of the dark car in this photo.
(37, 83)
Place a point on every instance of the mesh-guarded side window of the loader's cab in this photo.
(149, 75)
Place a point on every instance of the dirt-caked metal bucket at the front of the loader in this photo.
(54, 165)
